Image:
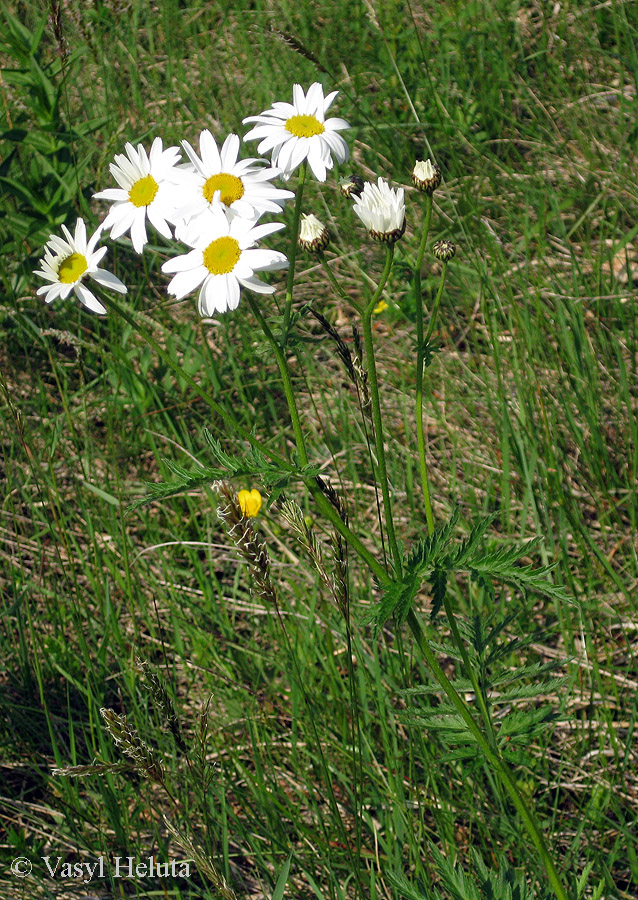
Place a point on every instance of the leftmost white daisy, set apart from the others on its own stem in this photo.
(67, 262)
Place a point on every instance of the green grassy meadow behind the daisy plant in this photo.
(530, 108)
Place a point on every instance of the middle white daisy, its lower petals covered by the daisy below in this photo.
(244, 188)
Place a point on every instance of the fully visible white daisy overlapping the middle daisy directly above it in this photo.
(222, 260)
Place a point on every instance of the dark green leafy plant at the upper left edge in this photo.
(44, 159)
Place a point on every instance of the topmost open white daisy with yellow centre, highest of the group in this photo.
(299, 130)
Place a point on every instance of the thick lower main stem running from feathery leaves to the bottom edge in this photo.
(491, 755)
